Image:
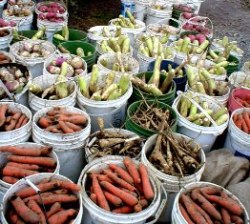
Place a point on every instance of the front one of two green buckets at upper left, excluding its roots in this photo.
(71, 46)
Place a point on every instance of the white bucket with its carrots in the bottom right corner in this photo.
(205, 202)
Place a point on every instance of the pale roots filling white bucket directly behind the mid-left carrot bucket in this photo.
(59, 90)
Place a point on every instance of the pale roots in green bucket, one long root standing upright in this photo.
(155, 85)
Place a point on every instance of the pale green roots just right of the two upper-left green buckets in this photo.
(122, 44)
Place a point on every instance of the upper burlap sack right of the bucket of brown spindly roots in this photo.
(223, 168)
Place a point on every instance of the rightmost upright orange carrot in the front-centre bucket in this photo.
(146, 185)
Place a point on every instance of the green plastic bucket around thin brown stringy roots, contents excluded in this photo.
(143, 132)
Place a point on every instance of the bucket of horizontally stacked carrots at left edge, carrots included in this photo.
(25, 159)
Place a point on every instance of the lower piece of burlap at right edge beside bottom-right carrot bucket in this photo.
(242, 191)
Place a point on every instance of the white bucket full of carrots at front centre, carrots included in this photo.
(119, 190)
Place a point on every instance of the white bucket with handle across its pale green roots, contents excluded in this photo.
(205, 136)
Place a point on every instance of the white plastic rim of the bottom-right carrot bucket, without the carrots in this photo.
(177, 217)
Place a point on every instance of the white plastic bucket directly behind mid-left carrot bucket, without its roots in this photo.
(36, 103)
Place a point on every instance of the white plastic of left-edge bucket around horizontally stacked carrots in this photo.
(29, 145)
